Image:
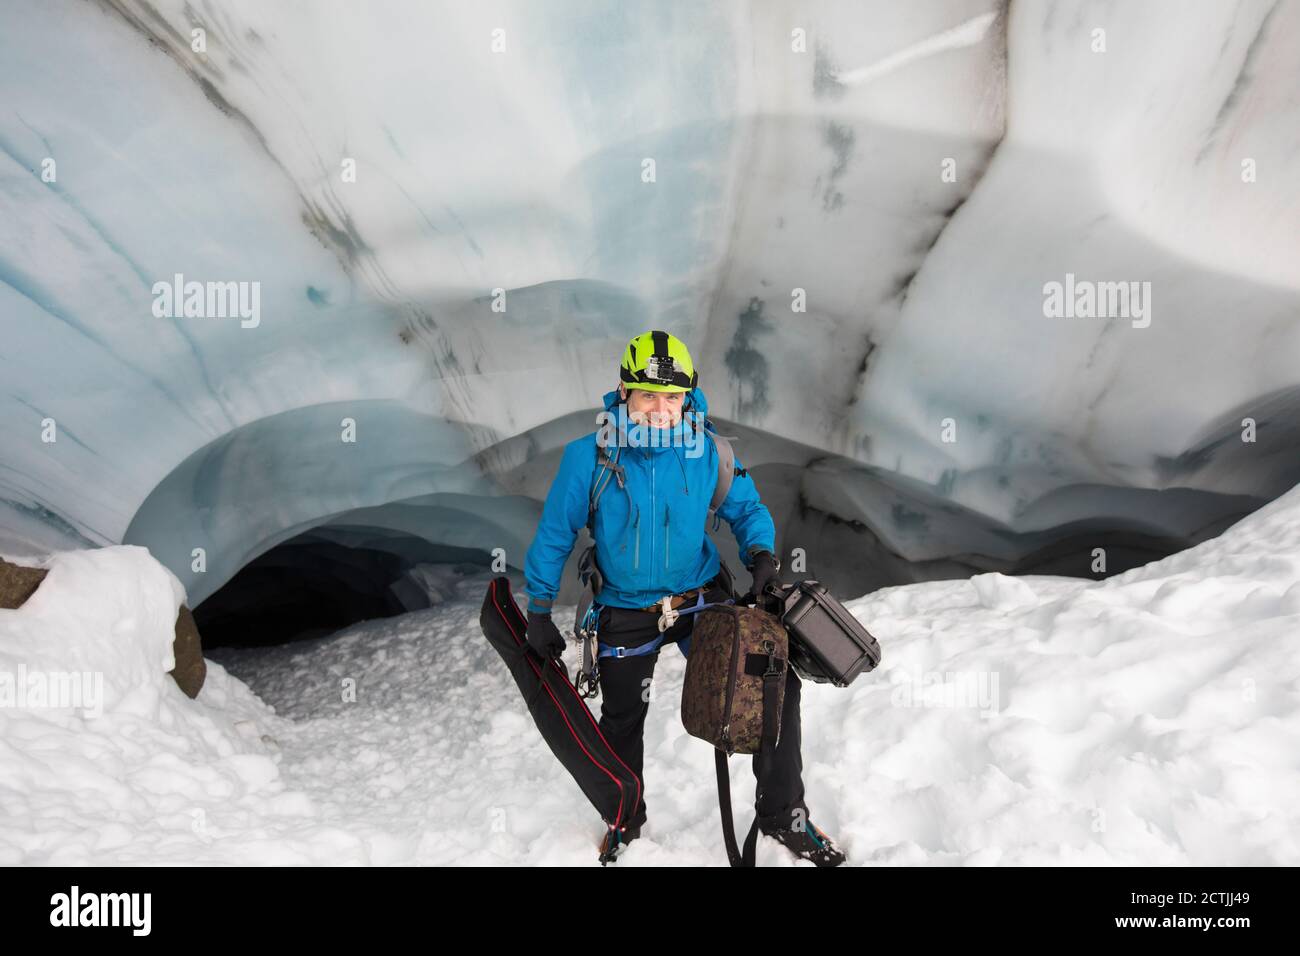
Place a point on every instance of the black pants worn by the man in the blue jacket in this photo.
(625, 691)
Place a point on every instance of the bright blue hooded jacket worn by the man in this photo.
(651, 538)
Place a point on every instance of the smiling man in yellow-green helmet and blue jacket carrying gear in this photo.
(651, 543)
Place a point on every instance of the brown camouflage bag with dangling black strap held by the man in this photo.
(734, 694)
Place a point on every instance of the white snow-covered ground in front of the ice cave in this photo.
(1149, 719)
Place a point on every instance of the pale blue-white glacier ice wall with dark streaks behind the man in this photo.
(796, 146)
